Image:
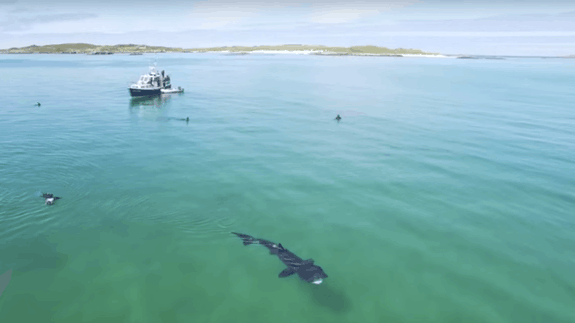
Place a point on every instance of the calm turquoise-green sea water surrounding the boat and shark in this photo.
(445, 194)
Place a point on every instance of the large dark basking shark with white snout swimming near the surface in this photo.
(306, 269)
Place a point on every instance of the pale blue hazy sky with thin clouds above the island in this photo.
(481, 27)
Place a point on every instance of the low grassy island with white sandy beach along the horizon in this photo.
(82, 48)
